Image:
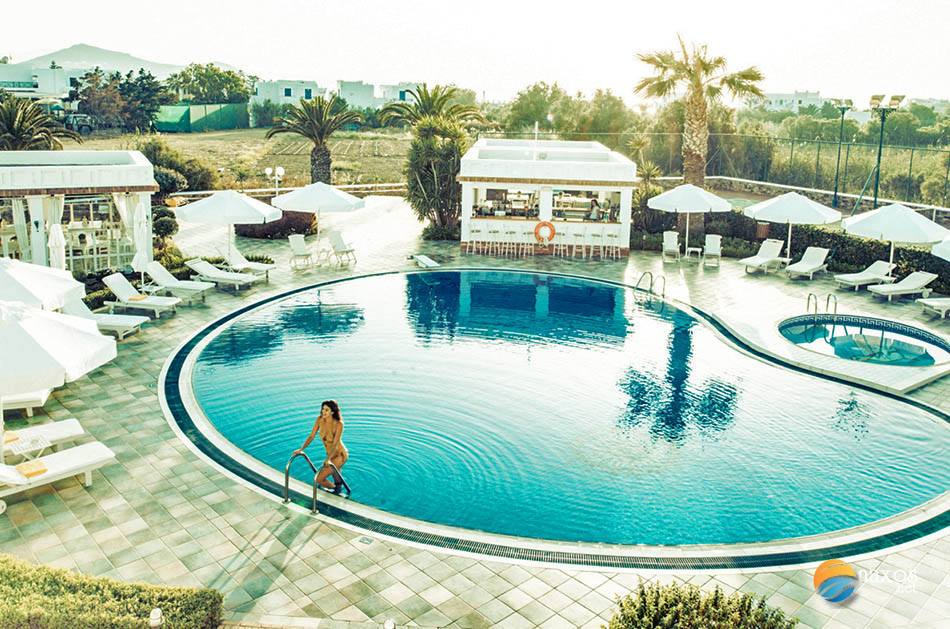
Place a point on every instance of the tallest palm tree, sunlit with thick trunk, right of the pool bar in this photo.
(704, 78)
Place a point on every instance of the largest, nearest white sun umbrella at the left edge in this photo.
(43, 350)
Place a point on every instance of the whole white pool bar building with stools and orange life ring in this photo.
(511, 188)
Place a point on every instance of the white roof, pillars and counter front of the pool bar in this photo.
(539, 168)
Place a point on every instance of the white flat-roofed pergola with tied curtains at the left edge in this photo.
(40, 184)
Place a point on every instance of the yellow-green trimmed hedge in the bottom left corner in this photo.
(39, 597)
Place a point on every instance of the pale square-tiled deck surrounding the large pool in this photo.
(163, 515)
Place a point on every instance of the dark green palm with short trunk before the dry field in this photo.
(316, 120)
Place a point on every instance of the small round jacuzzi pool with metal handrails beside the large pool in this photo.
(866, 339)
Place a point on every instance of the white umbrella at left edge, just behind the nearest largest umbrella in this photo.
(36, 285)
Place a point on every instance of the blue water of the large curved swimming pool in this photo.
(560, 408)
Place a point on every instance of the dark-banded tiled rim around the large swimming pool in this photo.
(917, 523)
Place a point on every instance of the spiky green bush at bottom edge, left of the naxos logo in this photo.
(687, 607)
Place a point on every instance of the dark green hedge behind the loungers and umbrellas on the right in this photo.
(847, 253)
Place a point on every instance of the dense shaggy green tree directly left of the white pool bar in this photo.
(431, 170)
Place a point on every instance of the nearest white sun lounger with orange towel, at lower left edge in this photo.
(82, 459)
